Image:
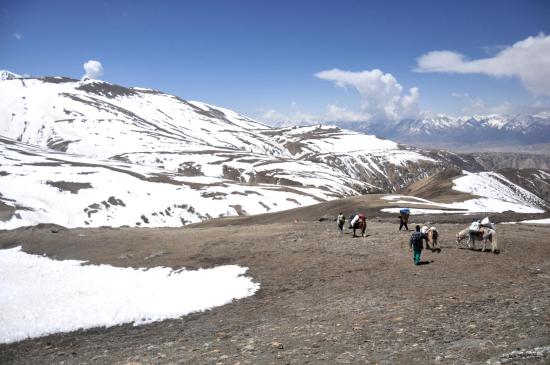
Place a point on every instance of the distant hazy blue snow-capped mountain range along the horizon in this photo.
(441, 131)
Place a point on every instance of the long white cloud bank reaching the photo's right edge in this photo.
(528, 60)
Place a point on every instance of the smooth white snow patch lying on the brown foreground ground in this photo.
(41, 296)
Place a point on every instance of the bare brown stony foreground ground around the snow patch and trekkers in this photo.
(324, 298)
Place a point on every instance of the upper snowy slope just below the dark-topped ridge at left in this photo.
(95, 118)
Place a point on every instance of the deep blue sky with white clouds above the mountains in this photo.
(261, 58)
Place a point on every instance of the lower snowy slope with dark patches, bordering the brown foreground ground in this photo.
(74, 191)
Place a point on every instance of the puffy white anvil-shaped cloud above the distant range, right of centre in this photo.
(382, 97)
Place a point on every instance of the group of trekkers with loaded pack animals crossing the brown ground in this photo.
(418, 237)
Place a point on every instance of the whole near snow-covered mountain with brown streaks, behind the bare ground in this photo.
(91, 153)
